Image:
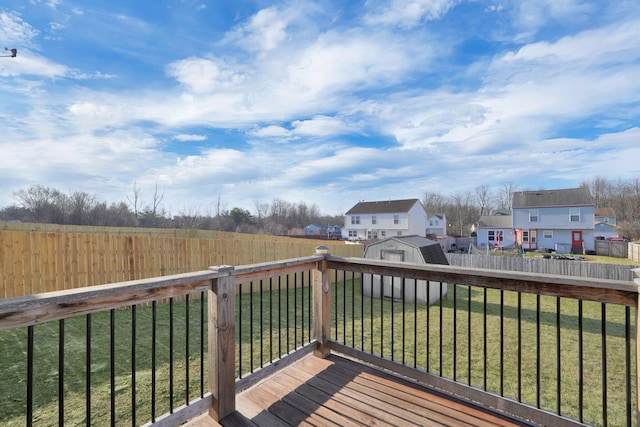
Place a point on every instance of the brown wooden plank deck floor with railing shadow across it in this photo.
(341, 392)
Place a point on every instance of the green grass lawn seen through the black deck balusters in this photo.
(378, 326)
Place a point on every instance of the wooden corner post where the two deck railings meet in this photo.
(321, 304)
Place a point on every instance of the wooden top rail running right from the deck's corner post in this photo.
(585, 288)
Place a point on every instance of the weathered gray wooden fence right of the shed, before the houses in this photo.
(544, 266)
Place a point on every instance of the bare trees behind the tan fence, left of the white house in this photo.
(42, 204)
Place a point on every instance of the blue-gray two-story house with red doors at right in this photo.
(554, 219)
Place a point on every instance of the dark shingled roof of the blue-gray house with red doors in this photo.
(550, 198)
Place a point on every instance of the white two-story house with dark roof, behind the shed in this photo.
(382, 219)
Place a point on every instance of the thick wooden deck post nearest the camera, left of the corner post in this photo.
(221, 302)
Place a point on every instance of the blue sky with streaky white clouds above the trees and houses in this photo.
(326, 102)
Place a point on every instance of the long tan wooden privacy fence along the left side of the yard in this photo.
(33, 262)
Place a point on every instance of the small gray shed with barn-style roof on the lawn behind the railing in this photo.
(415, 249)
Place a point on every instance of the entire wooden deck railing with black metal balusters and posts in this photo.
(554, 350)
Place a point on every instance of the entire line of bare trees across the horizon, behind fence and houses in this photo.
(462, 209)
